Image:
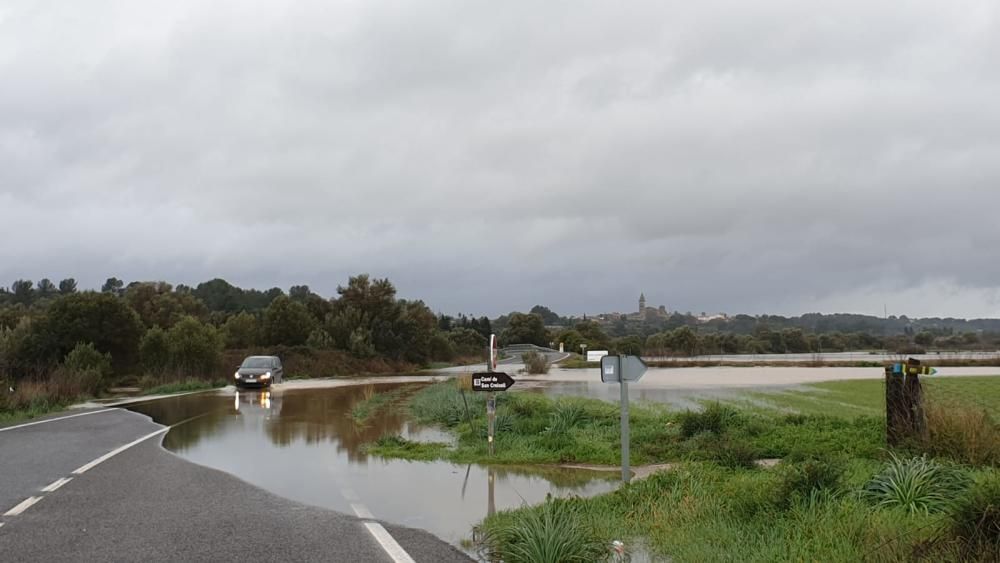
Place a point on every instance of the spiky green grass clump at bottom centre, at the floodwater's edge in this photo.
(548, 533)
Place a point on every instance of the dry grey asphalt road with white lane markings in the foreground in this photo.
(146, 504)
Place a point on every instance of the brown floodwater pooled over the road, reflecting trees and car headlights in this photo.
(302, 444)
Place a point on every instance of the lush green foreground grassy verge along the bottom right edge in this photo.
(704, 512)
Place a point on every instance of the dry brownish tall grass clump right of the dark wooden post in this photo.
(964, 434)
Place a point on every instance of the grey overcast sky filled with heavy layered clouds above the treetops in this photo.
(761, 157)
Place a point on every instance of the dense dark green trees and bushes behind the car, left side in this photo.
(160, 329)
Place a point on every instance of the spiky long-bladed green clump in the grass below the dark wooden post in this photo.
(916, 484)
